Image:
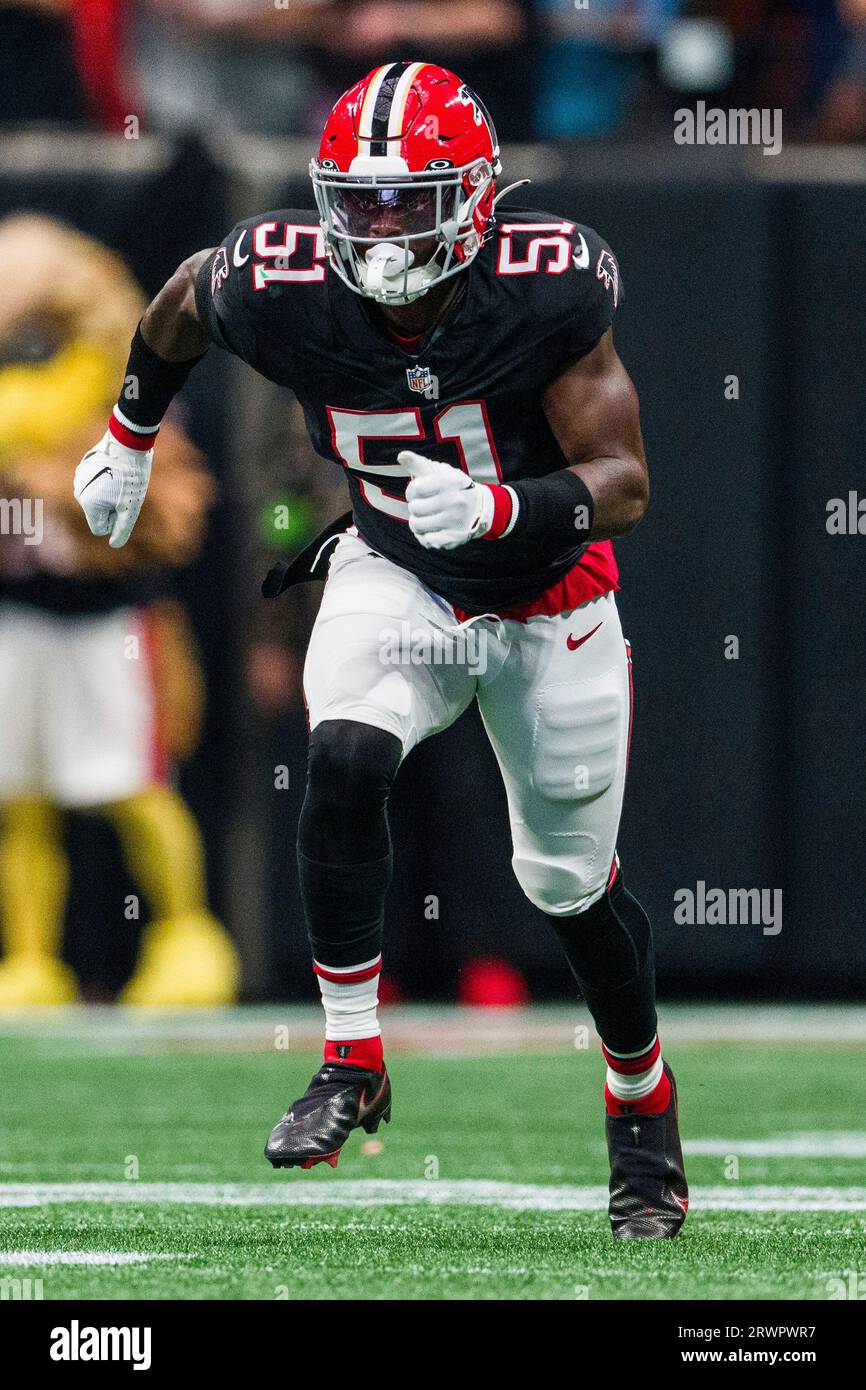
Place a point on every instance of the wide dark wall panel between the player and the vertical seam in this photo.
(698, 270)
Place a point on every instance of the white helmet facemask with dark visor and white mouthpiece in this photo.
(391, 234)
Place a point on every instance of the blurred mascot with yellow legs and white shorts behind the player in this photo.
(101, 686)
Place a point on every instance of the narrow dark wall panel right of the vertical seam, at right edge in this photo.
(822, 639)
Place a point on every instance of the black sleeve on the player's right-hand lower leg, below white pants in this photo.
(610, 949)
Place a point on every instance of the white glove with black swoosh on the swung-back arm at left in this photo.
(111, 487)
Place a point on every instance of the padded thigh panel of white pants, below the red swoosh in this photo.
(578, 749)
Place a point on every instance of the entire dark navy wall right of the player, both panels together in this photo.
(746, 774)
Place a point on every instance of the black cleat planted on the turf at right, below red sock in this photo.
(648, 1189)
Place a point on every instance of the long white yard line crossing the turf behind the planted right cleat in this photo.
(295, 1193)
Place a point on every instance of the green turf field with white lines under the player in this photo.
(131, 1163)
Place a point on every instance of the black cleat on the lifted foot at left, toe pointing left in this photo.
(338, 1100)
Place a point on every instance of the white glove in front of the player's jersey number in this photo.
(446, 507)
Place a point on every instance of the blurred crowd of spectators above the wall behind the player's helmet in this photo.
(550, 69)
